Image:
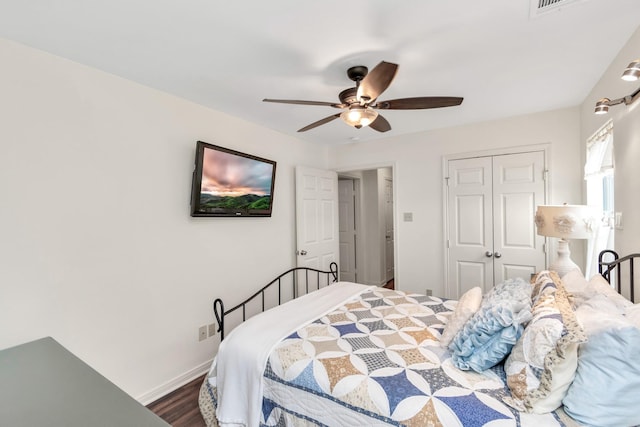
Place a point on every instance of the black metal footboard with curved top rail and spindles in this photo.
(330, 276)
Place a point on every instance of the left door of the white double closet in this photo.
(470, 238)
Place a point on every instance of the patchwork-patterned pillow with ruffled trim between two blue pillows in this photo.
(543, 362)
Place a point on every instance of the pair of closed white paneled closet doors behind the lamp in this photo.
(491, 204)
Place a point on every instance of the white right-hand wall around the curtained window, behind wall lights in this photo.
(626, 134)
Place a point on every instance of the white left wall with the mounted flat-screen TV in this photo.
(97, 248)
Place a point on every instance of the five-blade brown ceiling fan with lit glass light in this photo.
(360, 103)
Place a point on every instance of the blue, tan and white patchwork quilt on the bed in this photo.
(376, 360)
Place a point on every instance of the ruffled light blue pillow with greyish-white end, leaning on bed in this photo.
(490, 334)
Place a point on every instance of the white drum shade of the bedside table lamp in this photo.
(565, 221)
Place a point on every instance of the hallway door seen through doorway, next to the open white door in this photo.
(347, 229)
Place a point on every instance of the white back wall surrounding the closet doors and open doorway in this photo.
(418, 179)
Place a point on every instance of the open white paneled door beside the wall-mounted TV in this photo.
(316, 218)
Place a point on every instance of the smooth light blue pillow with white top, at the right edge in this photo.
(608, 375)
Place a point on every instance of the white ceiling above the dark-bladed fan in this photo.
(229, 55)
